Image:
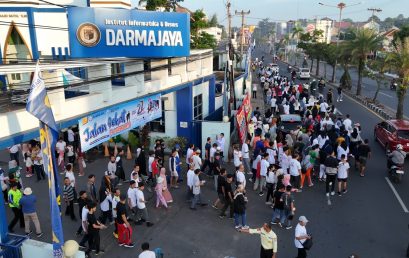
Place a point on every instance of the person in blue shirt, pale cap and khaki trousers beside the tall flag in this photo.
(28, 202)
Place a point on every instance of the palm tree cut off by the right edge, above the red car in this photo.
(400, 60)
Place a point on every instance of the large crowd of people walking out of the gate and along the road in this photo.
(278, 164)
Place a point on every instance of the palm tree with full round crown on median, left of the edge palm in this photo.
(366, 41)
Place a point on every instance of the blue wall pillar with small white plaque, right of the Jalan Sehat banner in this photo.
(184, 110)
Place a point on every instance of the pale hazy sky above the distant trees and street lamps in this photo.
(280, 10)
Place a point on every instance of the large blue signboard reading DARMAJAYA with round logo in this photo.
(104, 32)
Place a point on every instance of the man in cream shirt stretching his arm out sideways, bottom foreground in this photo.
(268, 240)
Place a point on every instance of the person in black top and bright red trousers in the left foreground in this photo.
(124, 228)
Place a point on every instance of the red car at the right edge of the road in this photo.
(392, 132)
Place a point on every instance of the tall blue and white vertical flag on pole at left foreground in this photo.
(39, 106)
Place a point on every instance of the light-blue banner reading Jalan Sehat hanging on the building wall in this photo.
(103, 125)
